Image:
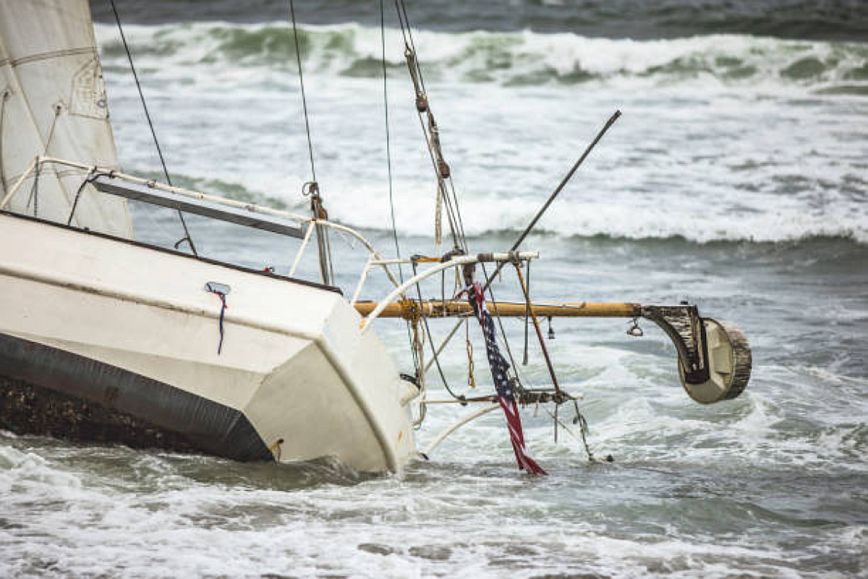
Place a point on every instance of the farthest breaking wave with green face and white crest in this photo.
(507, 58)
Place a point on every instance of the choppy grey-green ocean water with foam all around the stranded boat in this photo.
(737, 179)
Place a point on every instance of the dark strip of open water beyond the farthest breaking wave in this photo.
(827, 20)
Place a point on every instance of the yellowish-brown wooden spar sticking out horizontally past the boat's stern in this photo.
(451, 308)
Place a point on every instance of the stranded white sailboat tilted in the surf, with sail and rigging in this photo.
(106, 338)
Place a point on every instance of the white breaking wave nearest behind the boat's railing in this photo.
(366, 206)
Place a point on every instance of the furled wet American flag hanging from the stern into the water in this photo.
(502, 385)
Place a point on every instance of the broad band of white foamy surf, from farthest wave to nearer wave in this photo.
(702, 152)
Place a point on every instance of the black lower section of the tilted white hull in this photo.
(182, 420)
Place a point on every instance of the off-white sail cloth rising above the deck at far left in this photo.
(55, 105)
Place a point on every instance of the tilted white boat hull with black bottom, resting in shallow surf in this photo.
(130, 330)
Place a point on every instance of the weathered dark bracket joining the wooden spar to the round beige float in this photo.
(687, 331)
